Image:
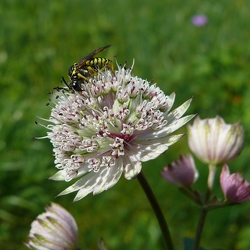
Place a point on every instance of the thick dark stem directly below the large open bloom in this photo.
(157, 210)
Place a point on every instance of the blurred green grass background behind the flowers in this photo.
(39, 40)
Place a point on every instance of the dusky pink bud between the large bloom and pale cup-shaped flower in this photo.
(181, 172)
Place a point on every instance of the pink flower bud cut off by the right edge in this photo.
(234, 187)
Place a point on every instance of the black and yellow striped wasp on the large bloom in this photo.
(89, 66)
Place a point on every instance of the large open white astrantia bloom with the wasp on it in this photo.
(114, 124)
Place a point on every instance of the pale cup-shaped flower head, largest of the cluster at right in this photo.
(215, 142)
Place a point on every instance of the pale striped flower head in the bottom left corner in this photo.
(54, 230)
